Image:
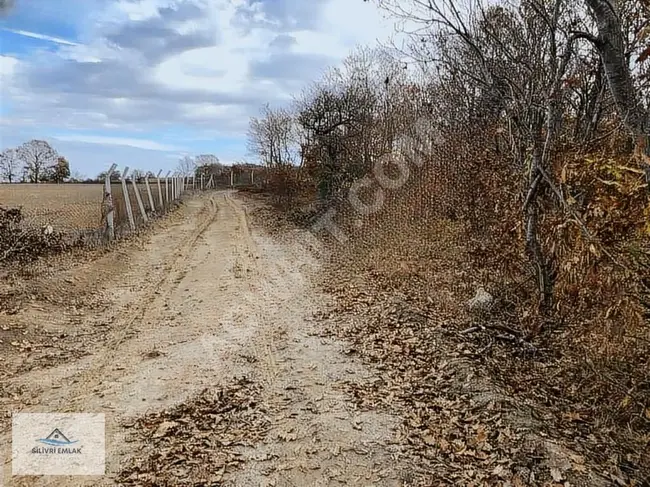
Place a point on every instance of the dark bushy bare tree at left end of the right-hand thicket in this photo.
(351, 118)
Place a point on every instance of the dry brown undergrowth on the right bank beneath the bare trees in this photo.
(443, 233)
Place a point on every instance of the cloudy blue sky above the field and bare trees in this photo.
(142, 83)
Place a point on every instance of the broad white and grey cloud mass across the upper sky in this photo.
(203, 65)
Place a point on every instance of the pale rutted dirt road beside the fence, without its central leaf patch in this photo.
(208, 299)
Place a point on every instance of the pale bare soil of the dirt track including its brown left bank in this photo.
(208, 313)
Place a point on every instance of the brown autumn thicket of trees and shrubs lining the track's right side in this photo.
(527, 182)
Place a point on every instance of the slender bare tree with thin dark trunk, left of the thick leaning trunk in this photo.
(505, 63)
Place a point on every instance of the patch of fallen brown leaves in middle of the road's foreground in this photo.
(196, 443)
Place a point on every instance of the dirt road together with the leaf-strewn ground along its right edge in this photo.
(224, 353)
